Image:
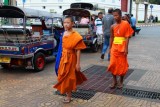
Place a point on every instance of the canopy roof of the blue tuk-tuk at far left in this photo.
(17, 12)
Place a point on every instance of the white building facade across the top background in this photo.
(127, 6)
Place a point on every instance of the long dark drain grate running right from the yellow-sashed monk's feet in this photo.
(141, 94)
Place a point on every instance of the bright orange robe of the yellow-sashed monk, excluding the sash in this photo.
(118, 61)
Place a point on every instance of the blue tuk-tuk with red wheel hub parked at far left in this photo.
(20, 46)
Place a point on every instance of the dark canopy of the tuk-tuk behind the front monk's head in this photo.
(79, 12)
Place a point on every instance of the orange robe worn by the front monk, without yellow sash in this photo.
(68, 77)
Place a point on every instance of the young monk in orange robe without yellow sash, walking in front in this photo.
(69, 75)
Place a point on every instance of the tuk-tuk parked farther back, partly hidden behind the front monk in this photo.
(86, 30)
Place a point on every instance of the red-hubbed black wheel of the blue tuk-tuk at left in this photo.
(39, 61)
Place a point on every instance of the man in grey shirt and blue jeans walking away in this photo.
(107, 21)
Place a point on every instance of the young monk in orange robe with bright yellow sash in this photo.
(120, 33)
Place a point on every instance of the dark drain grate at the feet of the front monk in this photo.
(82, 94)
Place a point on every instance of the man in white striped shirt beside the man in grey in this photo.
(99, 32)
